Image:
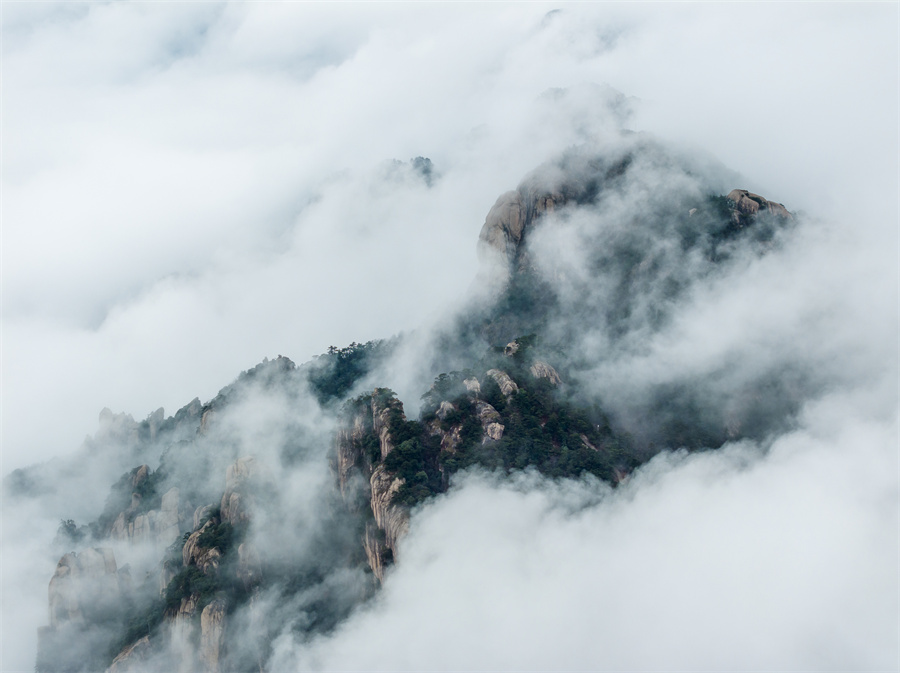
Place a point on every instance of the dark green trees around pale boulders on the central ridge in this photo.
(543, 429)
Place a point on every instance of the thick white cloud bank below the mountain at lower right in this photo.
(759, 558)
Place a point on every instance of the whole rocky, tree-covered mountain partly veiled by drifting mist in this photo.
(280, 505)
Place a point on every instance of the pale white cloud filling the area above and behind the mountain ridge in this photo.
(189, 187)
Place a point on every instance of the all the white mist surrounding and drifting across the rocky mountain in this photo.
(189, 188)
